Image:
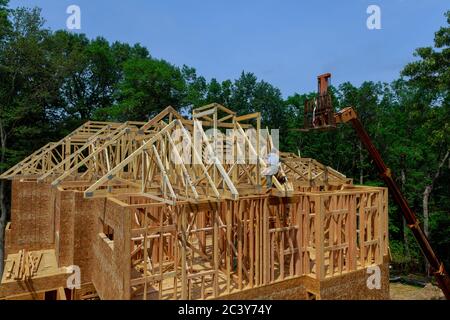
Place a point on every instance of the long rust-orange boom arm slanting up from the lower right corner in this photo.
(442, 277)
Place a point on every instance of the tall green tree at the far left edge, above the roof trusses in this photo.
(28, 91)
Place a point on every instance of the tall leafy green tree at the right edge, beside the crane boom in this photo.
(429, 78)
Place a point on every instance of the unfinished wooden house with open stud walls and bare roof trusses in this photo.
(173, 208)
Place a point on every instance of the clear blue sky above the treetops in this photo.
(287, 43)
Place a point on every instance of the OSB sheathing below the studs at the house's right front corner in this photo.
(353, 286)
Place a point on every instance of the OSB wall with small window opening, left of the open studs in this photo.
(111, 271)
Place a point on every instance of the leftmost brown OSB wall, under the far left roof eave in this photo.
(32, 220)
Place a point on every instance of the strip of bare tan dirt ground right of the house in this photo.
(400, 291)
